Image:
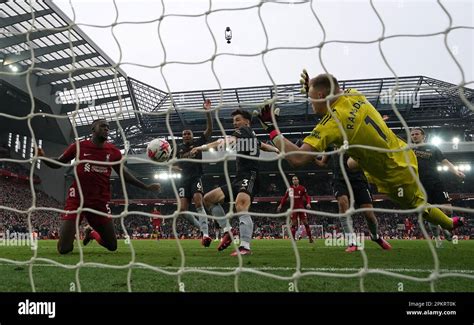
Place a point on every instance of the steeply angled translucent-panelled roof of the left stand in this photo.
(59, 47)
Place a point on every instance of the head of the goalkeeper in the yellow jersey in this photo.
(319, 88)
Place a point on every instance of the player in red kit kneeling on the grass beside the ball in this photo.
(93, 178)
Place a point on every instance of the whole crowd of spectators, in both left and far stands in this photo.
(17, 195)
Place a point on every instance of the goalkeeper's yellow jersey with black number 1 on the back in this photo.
(365, 126)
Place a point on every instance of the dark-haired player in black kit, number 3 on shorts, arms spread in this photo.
(245, 185)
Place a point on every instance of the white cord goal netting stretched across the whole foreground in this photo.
(120, 109)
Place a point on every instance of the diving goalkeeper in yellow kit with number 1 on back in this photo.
(363, 125)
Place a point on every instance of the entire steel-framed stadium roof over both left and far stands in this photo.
(103, 89)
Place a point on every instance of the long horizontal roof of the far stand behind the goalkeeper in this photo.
(422, 101)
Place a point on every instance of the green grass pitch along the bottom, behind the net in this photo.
(272, 257)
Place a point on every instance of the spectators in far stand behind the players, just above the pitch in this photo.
(391, 225)
